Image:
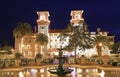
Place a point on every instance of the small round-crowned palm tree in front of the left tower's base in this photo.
(41, 39)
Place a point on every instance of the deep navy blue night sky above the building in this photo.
(104, 14)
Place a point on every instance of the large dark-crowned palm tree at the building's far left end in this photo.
(20, 31)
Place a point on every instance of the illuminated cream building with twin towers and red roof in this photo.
(29, 48)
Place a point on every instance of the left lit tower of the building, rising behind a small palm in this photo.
(43, 22)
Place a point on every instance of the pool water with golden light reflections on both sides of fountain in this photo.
(76, 73)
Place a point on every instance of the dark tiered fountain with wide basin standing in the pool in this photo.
(60, 71)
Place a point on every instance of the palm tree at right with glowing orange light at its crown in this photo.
(100, 42)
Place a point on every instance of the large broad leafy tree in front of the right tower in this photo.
(78, 37)
